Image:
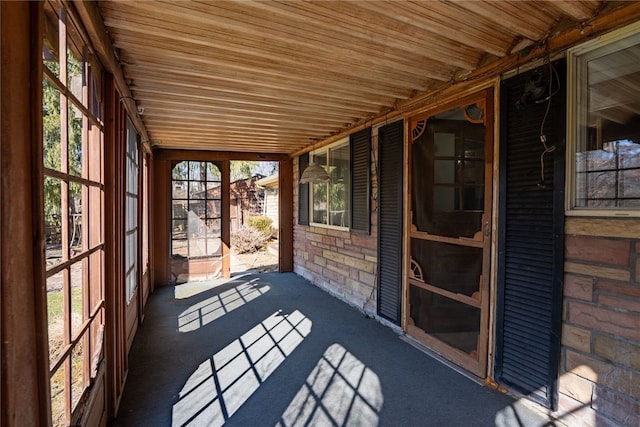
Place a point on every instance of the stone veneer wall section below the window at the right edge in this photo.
(600, 365)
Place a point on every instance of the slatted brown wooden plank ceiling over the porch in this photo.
(276, 76)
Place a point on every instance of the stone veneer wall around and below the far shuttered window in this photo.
(341, 262)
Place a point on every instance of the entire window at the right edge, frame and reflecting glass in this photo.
(604, 126)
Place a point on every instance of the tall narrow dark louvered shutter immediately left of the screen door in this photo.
(390, 191)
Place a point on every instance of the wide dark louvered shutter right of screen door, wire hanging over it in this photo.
(530, 248)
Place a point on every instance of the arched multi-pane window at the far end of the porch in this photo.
(196, 210)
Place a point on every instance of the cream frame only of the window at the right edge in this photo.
(575, 56)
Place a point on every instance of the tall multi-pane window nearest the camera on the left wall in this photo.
(73, 210)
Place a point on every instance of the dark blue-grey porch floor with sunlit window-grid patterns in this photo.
(273, 350)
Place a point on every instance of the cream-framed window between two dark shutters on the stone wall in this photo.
(330, 200)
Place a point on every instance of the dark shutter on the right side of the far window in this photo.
(360, 149)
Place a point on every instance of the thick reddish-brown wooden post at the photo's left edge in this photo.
(24, 369)
